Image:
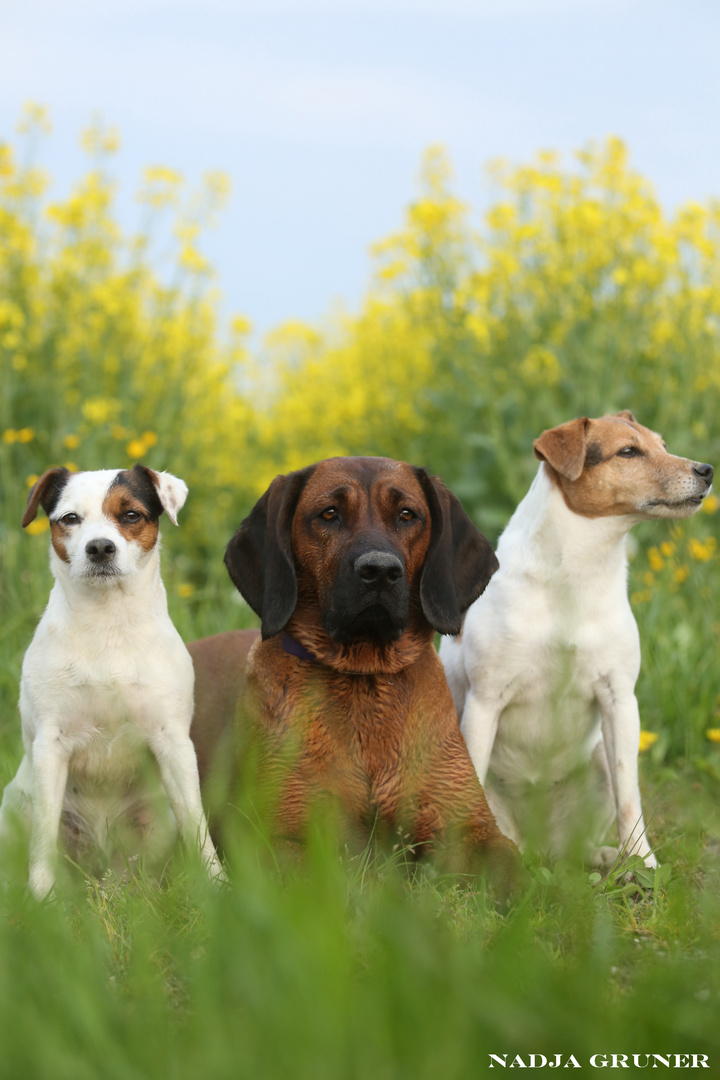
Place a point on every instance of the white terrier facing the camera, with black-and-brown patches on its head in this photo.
(106, 684)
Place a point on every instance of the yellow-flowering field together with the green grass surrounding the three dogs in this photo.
(577, 295)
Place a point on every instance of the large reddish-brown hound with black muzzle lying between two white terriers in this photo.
(352, 565)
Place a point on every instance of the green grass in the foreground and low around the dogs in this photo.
(356, 967)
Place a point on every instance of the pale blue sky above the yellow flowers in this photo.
(320, 111)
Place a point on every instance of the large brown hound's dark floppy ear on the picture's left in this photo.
(260, 557)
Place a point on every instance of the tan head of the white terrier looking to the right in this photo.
(615, 466)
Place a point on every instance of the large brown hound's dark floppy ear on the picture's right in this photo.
(459, 563)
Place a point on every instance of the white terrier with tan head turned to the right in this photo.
(544, 676)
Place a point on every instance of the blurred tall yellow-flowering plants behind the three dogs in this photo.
(579, 295)
